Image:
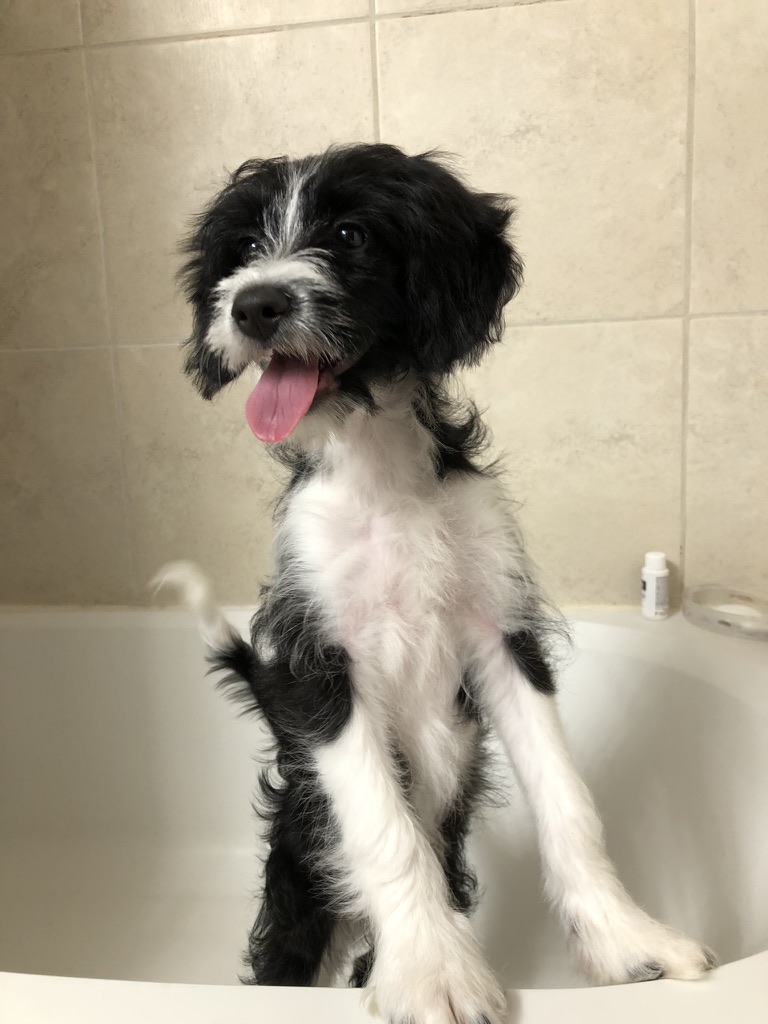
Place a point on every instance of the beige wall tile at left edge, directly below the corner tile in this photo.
(52, 274)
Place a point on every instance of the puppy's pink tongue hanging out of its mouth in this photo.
(281, 399)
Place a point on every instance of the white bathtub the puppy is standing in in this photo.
(130, 849)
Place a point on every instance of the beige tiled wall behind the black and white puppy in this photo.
(632, 393)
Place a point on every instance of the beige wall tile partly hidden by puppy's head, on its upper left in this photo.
(172, 118)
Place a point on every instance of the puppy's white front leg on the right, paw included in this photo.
(615, 941)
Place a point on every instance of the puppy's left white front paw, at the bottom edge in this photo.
(439, 980)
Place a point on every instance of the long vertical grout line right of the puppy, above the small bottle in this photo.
(689, 258)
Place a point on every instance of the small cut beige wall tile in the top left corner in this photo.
(38, 25)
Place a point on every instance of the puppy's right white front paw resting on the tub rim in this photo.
(635, 948)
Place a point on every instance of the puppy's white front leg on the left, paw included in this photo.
(428, 968)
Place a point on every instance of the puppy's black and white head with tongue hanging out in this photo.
(339, 272)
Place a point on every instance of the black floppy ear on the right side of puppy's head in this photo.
(461, 268)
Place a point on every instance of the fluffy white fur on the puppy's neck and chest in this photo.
(401, 563)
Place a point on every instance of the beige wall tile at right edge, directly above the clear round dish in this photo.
(728, 453)
